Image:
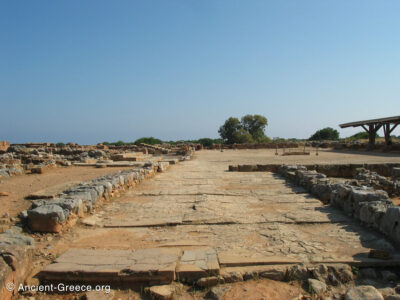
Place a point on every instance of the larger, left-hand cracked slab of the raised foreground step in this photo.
(113, 266)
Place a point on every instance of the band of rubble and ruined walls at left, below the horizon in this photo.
(36, 158)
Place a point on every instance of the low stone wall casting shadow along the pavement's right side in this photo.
(373, 208)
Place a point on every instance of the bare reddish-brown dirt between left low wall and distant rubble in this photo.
(18, 187)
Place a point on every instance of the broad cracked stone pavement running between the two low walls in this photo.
(210, 219)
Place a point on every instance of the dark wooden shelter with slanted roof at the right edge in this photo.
(372, 127)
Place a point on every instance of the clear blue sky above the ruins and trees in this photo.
(91, 71)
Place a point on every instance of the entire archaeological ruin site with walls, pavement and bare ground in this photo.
(168, 221)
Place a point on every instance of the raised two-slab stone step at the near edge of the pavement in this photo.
(124, 267)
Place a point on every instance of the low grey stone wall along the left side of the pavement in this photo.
(52, 215)
